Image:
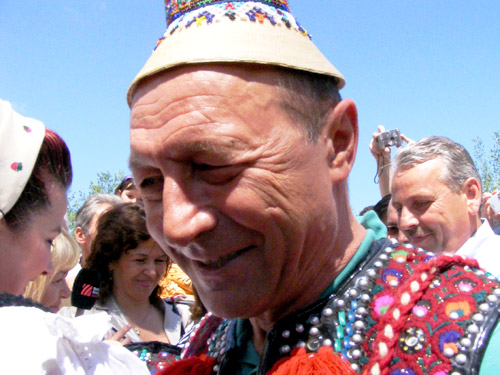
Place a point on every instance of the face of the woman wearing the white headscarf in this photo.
(25, 253)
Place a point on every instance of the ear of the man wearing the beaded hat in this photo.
(342, 135)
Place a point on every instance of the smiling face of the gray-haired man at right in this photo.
(430, 214)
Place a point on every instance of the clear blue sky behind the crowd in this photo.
(425, 67)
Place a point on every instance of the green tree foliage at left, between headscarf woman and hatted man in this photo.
(106, 182)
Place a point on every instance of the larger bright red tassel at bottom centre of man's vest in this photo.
(324, 362)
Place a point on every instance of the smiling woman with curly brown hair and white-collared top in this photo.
(130, 265)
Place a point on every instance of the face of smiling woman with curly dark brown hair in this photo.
(137, 273)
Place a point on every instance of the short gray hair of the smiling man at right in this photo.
(458, 164)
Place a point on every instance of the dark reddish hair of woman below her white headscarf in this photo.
(53, 164)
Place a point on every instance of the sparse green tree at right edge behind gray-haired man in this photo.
(488, 163)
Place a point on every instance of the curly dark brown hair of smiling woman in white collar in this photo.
(119, 230)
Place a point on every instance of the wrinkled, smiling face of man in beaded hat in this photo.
(233, 190)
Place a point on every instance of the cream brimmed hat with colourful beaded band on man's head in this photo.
(258, 32)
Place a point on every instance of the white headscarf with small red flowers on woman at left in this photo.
(20, 142)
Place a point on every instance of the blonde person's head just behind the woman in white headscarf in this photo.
(50, 290)
